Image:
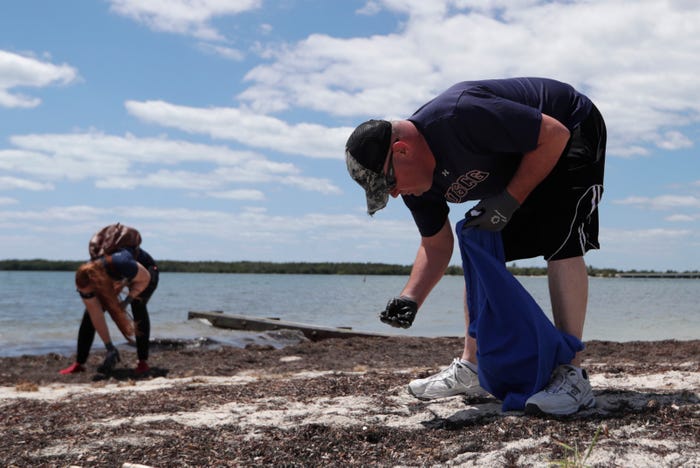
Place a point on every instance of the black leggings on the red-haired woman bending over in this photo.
(86, 334)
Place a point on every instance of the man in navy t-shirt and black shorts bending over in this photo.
(532, 150)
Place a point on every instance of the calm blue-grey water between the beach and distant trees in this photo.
(40, 311)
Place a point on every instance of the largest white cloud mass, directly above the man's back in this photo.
(636, 59)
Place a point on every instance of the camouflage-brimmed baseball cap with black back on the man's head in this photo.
(365, 154)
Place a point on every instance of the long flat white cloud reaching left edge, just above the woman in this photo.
(127, 162)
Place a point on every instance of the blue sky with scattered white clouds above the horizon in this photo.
(217, 127)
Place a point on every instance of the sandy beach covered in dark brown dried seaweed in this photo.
(339, 402)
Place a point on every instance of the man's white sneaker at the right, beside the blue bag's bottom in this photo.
(567, 392)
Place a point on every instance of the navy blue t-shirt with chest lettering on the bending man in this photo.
(479, 131)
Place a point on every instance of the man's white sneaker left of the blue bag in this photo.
(457, 379)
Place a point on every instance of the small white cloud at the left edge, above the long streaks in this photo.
(22, 71)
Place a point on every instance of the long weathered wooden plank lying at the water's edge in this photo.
(245, 322)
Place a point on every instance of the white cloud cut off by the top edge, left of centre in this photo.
(188, 17)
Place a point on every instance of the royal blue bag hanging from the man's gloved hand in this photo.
(518, 347)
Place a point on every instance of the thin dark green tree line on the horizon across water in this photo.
(315, 268)
